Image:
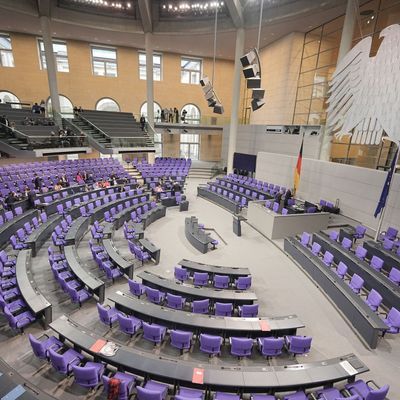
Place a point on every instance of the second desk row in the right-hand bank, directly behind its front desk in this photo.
(372, 279)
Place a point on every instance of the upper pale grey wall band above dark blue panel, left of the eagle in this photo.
(253, 138)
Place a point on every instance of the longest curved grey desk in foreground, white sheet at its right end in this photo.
(223, 377)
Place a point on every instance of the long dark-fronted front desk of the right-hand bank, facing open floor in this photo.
(366, 322)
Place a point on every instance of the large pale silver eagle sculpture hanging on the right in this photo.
(364, 91)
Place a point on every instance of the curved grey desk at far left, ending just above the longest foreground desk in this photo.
(29, 291)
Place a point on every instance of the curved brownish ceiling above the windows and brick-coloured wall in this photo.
(177, 35)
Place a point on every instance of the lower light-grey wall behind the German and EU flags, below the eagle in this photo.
(358, 189)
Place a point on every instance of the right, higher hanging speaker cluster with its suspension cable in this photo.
(252, 71)
